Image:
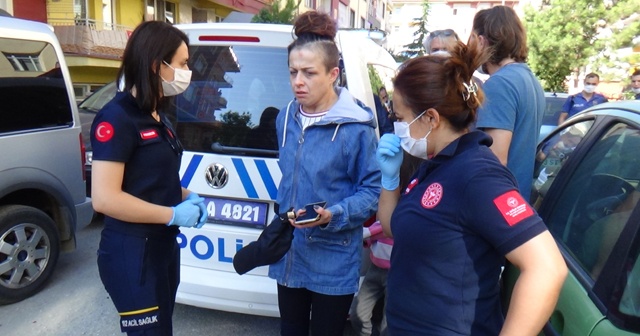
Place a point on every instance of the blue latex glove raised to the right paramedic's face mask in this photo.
(389, 157)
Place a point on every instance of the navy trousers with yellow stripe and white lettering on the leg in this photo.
(141, 274)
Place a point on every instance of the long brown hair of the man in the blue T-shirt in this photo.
(504, 32)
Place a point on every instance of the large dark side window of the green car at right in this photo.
(598, 199)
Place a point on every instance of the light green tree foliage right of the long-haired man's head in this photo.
(565, 36)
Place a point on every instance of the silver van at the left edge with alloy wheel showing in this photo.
(42, 188)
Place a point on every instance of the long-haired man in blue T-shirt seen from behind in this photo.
(514, 105)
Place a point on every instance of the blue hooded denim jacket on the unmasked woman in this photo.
(333, 161)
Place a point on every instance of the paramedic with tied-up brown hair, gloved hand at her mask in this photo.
(460, 216)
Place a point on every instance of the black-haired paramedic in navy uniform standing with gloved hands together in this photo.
(136, 184)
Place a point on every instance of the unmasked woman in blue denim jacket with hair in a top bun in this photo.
(327, 146)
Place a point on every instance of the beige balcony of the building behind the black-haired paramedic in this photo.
(86, 37)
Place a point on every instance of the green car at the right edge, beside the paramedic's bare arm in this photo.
(587, 188)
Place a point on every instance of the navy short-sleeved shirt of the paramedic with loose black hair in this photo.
(151, 152)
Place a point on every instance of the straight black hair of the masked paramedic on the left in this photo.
(150, 43)
